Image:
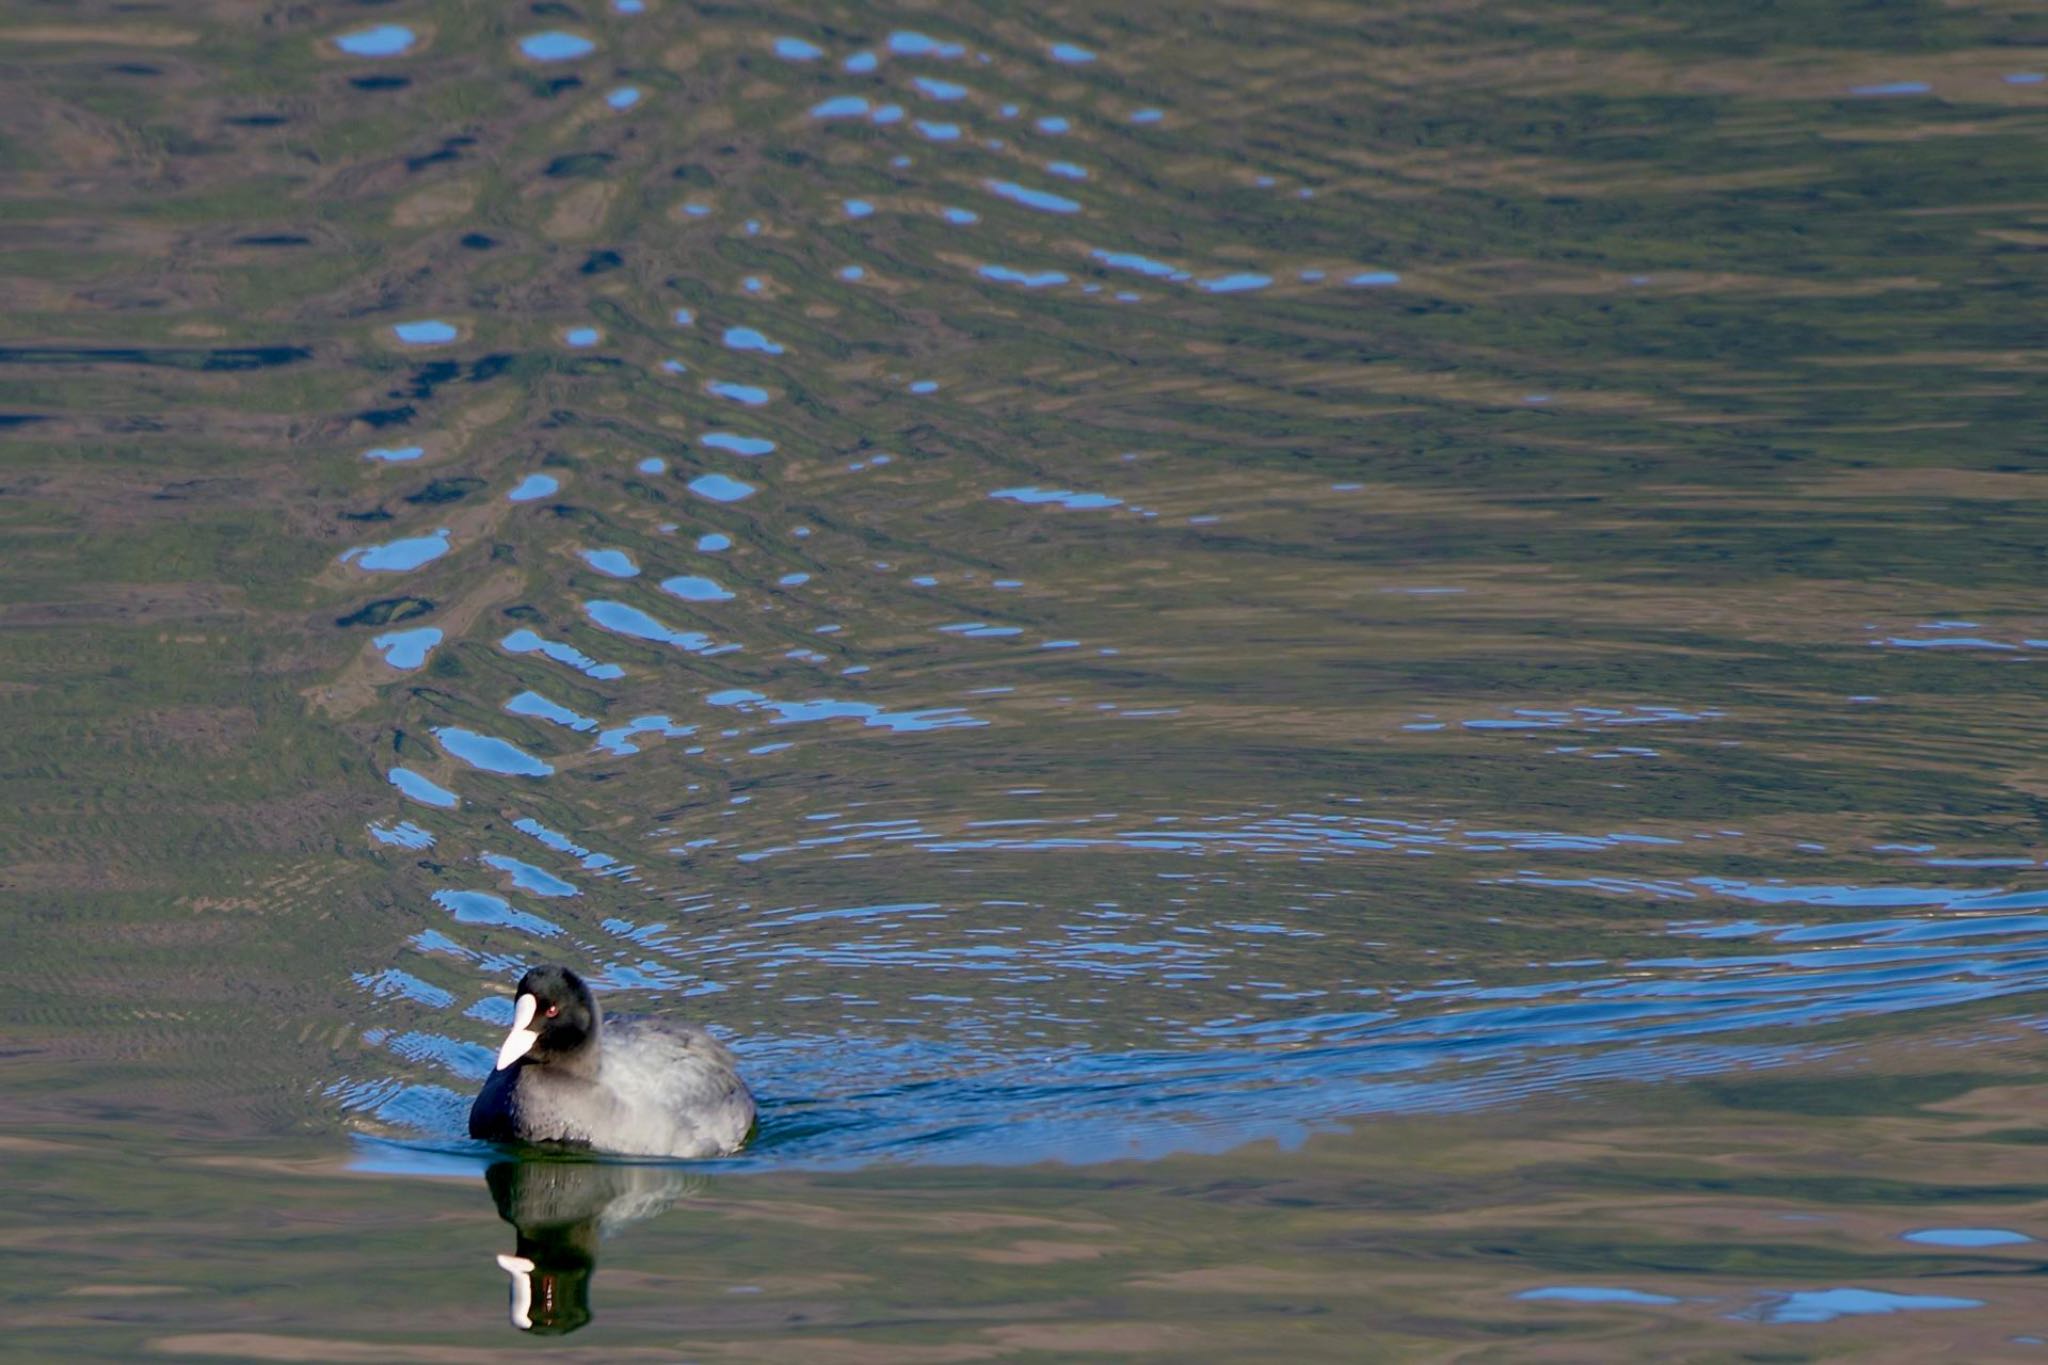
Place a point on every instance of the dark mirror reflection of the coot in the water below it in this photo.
(560, 1210)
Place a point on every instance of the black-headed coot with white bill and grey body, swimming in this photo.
(636, 1088)
